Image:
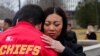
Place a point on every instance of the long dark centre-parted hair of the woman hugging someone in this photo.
(61, 13)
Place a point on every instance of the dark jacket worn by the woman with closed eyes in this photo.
(71, 48)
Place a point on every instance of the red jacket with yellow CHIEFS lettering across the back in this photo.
(23, 40)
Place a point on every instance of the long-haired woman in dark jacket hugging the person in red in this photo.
(54, 26)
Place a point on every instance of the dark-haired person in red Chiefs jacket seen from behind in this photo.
(24, 39)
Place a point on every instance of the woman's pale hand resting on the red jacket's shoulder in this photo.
(54, 44)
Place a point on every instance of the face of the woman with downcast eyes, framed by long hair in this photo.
(53, 25)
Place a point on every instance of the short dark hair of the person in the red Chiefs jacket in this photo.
(31, 13)
